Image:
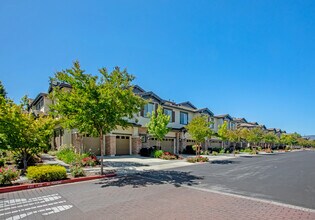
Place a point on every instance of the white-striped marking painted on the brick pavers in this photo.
(32, 208)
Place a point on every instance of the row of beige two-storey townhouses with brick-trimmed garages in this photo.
(132, 139)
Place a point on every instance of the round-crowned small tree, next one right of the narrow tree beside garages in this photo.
(199, 129)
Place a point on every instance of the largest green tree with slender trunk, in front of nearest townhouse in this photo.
(96, 104)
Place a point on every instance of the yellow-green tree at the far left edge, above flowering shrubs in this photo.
(21, 132)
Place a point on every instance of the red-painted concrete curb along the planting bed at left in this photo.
(45, 184)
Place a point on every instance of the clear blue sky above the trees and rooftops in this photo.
(252, 59)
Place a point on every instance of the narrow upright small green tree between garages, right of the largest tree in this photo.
(157, 127)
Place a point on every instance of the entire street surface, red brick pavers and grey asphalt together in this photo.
(178, 194)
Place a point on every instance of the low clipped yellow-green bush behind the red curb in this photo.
(46, 173)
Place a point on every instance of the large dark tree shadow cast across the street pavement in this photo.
(147, 178)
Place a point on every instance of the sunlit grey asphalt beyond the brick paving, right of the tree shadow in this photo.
(287, 178)
